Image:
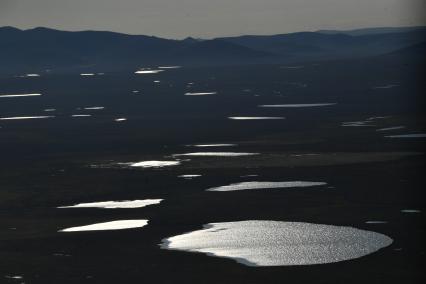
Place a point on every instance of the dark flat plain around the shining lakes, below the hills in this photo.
(47, 163)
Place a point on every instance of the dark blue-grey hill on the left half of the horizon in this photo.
(43, 48)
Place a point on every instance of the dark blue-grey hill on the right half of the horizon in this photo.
(315, 45)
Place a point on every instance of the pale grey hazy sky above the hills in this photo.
(210, 18)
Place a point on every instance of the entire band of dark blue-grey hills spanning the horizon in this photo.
(36, 50)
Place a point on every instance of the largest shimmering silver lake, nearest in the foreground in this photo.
(273, 243)
